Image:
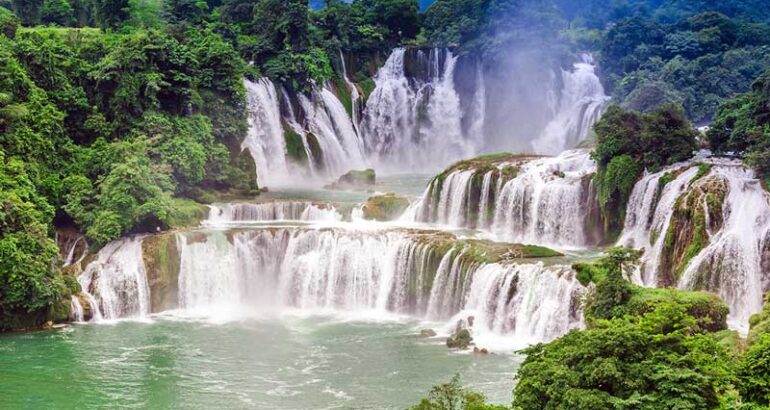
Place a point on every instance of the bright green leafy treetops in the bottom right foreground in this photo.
(648, 362)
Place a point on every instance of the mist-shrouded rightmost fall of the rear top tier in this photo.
(581, 103)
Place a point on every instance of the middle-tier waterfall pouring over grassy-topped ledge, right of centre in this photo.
(523, 199)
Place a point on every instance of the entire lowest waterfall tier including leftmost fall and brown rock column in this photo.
(426, 274)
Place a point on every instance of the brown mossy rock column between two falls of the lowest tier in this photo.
(162, 263)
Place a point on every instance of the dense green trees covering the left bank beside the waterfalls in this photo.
(114, 132)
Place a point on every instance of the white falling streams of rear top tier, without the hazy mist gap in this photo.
(414, 120)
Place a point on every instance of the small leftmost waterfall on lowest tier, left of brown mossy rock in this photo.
(116, 282)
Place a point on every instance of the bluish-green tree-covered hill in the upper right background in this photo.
(698, 61)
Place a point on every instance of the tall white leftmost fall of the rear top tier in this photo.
(265, 139)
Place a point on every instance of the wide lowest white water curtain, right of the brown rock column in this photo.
(359, 271)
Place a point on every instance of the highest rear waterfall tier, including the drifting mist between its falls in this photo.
(428, 108)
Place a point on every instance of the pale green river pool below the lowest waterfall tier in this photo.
(290, 361)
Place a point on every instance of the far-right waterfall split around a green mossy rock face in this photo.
(704, 225)
